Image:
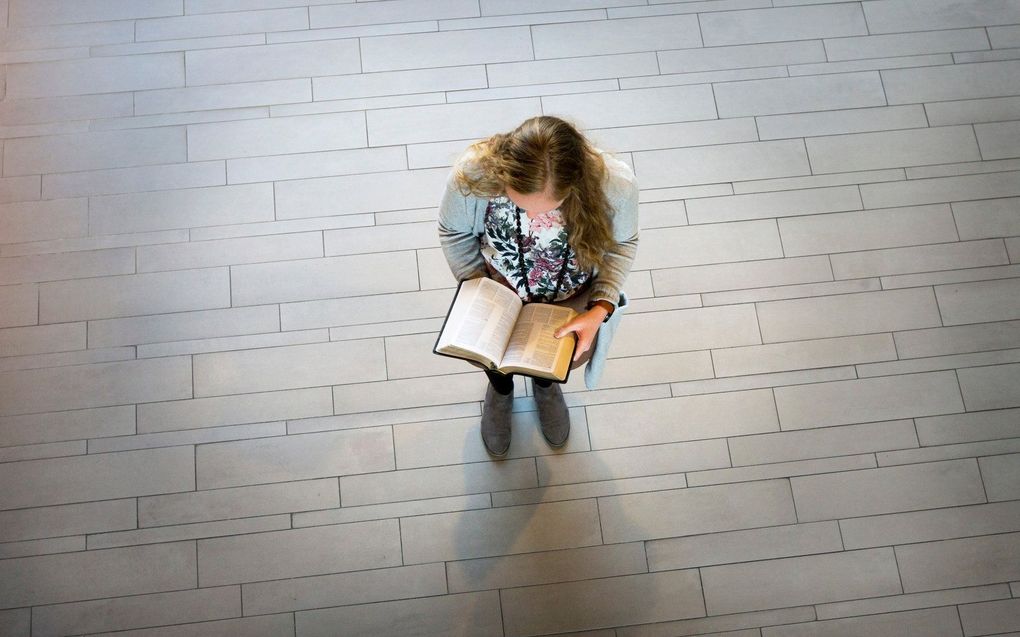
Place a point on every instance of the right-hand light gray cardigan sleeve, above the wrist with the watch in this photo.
(617, 266)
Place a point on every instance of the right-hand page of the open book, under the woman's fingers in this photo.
(534, 348)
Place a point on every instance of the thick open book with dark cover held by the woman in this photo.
(490, 325)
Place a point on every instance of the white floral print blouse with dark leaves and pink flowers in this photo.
(544, 241)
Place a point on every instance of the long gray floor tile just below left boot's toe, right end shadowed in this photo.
(413, 485)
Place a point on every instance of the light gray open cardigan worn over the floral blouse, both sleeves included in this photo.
(463, 225)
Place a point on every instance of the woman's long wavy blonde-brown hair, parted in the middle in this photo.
(548, 152)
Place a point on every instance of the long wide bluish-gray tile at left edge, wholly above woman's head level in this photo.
(90, 77)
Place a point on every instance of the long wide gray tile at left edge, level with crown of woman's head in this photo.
(94, 150)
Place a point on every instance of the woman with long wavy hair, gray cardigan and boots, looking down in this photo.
(542, 211)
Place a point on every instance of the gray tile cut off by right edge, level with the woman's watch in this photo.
(980, 302)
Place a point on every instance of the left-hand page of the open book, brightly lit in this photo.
(481, 320)
